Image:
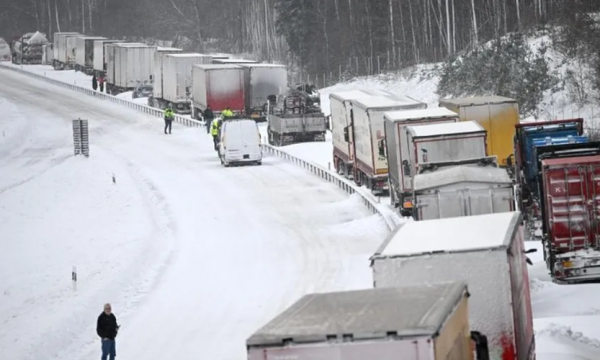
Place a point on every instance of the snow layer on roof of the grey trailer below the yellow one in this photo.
(458, 174)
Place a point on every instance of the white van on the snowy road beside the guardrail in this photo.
(240, 143)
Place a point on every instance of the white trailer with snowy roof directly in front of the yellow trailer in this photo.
(443, 142)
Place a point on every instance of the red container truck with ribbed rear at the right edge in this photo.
(571, 235)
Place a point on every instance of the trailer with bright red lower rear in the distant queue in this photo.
(219, 86)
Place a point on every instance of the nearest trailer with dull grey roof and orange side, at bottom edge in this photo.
(409, 323)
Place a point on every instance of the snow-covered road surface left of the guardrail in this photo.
(193, 256)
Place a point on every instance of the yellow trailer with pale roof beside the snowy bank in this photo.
(496, 114)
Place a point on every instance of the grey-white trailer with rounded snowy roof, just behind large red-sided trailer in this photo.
(463, 191)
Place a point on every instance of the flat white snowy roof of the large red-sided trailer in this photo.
(460, 234)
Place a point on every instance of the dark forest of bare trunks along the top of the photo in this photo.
(328, 39)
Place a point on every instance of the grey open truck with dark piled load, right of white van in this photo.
(294, 118)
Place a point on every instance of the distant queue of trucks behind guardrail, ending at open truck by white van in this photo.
(190, 82)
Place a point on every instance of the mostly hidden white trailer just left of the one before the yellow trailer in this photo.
(396, 149)
